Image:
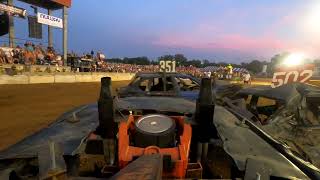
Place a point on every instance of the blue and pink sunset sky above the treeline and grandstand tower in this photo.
(219, 30)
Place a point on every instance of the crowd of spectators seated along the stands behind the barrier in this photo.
(32, 54)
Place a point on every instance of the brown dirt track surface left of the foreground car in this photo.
(25, 109)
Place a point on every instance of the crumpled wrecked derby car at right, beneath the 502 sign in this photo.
(289, 113)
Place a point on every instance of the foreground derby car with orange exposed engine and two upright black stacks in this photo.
(154, 137)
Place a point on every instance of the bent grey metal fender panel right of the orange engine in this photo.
(243, 144)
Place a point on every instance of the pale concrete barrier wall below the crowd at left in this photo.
(63, 78)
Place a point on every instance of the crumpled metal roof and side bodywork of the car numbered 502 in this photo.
(298, 133)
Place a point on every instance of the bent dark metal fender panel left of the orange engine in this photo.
(64, 130)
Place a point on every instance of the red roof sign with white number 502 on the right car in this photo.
(286, 75)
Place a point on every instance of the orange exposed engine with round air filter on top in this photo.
(156, 134)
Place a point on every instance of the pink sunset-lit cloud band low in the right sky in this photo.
(266, 45)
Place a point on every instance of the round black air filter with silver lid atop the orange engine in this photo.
(155, 130)
